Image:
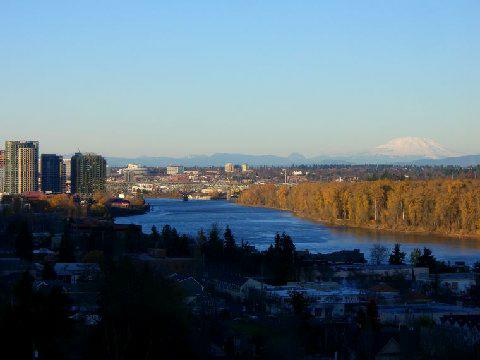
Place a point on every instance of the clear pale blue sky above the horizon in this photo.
(256, 76)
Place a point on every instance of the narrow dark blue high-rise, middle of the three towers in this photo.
(53, 173)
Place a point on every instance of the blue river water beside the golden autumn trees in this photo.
(258, 226)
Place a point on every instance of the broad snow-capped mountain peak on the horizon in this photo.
(414, 147)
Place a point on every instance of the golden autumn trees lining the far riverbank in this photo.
(450, 207)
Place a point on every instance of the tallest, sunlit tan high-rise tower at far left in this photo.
(21, 166)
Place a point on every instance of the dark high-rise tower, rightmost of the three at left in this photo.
(88, 173)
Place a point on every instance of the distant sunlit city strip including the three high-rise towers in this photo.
(24, 170)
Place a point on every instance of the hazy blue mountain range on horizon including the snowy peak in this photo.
(407, 150)
